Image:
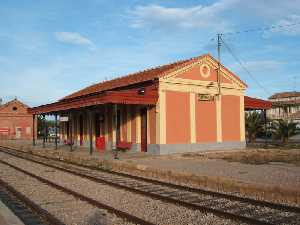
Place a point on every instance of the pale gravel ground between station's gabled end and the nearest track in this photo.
(277, 174)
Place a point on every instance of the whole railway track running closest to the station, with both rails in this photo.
(224, 205)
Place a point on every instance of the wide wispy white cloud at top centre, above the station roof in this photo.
(198, 16)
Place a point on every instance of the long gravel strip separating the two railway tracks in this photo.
(146, 208)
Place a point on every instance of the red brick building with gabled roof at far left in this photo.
(15, 121)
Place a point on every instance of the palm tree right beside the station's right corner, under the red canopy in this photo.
(254, 125)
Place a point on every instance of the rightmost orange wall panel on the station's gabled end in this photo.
(230, 118)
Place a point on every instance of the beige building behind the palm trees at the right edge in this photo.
(285, 105)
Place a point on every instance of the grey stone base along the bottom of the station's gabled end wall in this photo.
(163, 149)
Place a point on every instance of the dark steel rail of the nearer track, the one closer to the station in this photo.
(77, 195)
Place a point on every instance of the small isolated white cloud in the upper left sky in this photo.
(73, 38)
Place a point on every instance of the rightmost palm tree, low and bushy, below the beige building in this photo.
(284, 129)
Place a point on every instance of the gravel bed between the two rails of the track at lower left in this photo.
(65, 207)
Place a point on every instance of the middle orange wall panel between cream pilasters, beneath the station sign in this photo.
(206, 123)
